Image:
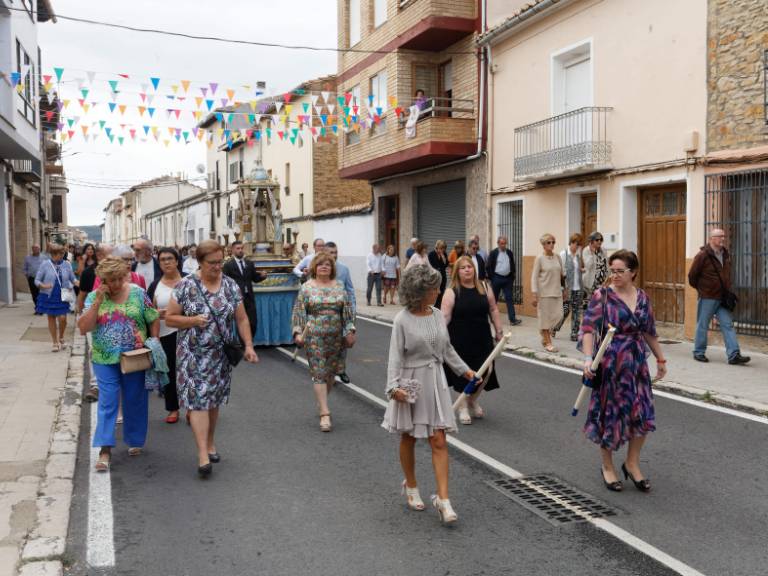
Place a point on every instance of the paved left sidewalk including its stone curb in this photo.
(39, 422)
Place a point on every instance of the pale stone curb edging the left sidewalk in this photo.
(43, 551)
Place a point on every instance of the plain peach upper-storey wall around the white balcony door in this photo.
(655, 83)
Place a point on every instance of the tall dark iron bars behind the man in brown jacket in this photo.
(737, 202)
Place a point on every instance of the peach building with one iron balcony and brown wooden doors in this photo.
(598, 121)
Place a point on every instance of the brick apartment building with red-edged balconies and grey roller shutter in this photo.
(429, 177)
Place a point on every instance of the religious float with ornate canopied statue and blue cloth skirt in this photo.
(261, 231)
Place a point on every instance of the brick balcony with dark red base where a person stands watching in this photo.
(445, 131)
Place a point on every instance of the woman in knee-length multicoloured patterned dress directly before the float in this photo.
(324, 323)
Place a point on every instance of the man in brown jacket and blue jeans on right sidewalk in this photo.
(710, 274)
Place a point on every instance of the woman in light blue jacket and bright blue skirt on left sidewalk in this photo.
(52, 276)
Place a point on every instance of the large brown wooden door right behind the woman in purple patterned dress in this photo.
(662, 250)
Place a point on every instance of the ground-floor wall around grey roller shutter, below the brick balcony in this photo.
(477, 209)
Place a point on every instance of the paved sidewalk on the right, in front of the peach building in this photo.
(741, 387)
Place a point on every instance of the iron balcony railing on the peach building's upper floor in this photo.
(572, 143)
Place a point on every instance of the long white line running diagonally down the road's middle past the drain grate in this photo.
(605, 525)
